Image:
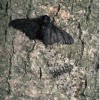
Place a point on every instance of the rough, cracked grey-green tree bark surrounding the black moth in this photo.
(29, 71)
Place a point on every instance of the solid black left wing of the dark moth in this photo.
(31, 27)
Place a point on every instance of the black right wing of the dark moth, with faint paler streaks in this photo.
(53, 34)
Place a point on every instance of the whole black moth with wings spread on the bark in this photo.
(42, 28)
